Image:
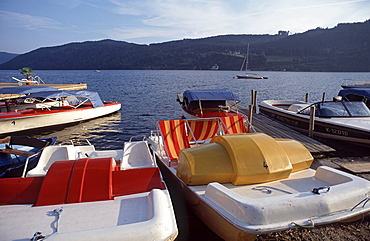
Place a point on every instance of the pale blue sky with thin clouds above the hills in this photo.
(26, 25)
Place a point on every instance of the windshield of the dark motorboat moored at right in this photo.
(339, 109)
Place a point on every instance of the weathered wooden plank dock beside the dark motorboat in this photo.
(264, 124)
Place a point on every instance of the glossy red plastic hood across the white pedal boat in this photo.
(75, 181)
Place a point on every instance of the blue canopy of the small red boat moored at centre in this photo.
(209, 94)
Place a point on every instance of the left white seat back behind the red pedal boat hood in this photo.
(50, 155)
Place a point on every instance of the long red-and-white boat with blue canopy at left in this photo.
(42, 109)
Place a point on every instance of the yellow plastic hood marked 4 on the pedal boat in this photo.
(242, 159)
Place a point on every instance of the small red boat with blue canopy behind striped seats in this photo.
(206, 103)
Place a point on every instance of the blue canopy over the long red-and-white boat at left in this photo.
(91, 95)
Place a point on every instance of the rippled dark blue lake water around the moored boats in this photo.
(150, 96)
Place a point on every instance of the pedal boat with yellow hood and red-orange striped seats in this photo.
(243, 184)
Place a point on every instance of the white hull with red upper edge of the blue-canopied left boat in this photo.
(37, 119)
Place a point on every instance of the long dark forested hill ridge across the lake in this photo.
(345, 47)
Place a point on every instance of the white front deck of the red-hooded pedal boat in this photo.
(131, 217)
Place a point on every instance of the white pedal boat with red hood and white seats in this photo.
(78, 193)
